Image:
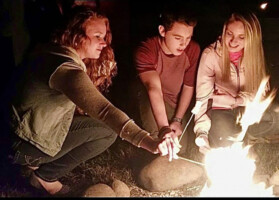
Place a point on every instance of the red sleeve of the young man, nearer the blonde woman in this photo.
(193, 53)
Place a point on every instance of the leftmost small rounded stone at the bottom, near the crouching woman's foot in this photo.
(99, 190)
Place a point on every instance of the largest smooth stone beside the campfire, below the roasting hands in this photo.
(161, 175)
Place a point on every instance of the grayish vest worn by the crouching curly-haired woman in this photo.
(42, 115)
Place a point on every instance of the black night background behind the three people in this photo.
(24, 23)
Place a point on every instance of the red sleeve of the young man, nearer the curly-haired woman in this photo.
(146, 55)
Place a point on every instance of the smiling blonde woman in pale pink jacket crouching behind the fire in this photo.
(230, 72)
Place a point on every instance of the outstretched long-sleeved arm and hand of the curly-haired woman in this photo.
(77, 86)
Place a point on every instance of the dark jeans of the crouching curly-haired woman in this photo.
(86, 139)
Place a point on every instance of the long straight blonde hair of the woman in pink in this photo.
(253, 55)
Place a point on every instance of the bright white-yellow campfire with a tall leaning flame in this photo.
(229, 169)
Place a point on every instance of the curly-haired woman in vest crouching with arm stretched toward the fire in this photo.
(48, 136)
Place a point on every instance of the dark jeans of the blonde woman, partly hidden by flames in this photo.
(223, 124)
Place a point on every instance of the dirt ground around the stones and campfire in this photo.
(117, 162)
